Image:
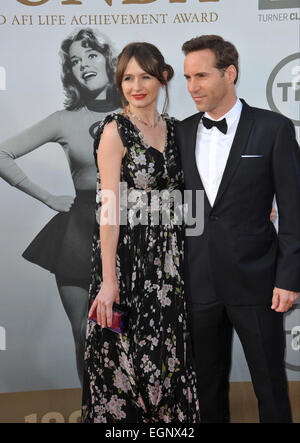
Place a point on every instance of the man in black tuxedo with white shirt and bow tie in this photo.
(239, 273)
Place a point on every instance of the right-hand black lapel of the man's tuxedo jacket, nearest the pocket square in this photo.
(238, 147)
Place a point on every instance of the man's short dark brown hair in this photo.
(225, 52)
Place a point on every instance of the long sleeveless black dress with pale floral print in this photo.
(145, 375)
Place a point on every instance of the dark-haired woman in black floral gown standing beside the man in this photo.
(145, 374)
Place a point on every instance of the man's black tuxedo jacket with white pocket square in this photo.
(239, 258)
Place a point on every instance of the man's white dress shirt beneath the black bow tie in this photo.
(212, 150)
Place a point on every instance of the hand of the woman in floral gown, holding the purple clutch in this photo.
(107, 296)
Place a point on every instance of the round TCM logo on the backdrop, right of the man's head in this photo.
(283, 88)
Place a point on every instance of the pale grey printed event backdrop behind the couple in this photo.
(46, 161)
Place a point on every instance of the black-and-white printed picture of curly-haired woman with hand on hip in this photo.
(64, 245)
